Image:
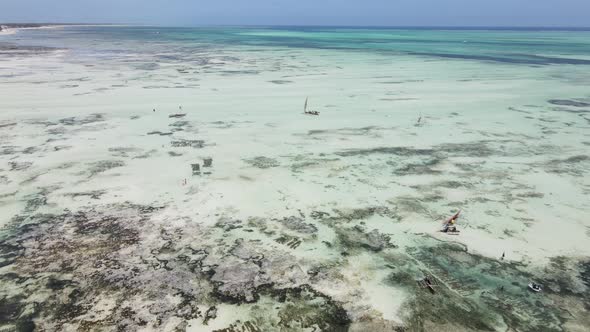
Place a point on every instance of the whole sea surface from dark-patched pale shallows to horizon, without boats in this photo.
(300, 222)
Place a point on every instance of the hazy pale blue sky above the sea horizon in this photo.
(546, 13)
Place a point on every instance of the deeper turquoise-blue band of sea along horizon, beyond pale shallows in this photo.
(526, 47)
